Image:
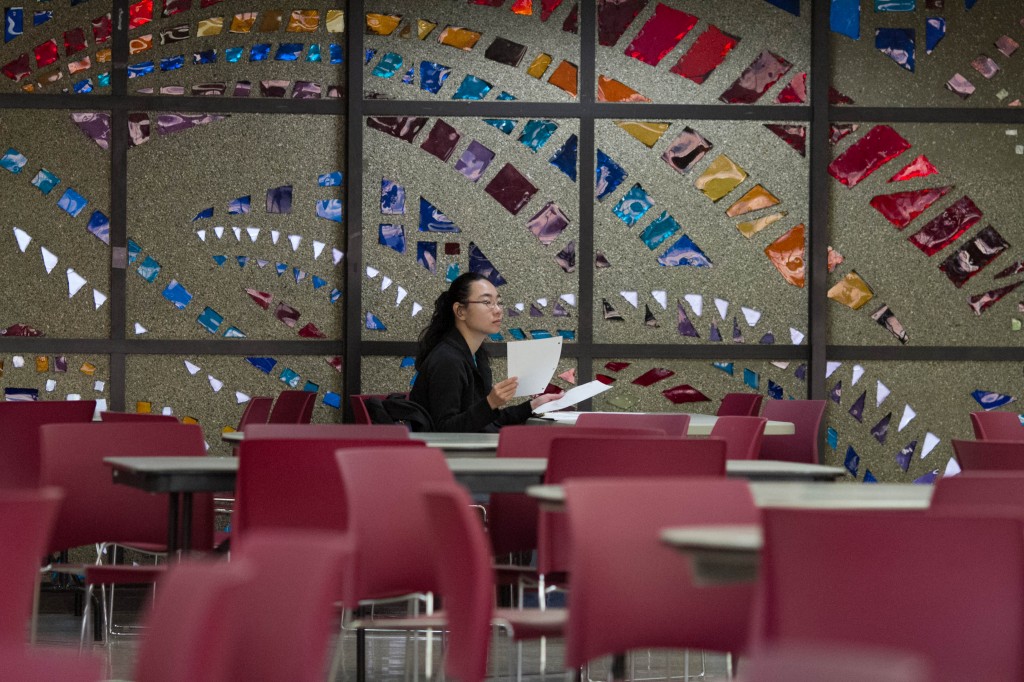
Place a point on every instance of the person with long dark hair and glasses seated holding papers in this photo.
(454, 383)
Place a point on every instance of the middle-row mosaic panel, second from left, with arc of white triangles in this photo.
(236, 228)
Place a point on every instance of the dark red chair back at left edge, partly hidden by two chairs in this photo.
(20, 424)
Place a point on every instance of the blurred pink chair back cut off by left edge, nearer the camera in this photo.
(27, 519)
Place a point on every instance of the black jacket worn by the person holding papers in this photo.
(454, 390)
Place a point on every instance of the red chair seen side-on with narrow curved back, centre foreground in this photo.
(466, 579)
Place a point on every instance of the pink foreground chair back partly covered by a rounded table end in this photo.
(631, 591)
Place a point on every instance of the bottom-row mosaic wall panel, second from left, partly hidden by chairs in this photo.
(212, 391)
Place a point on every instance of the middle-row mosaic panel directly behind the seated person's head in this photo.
(447, 196)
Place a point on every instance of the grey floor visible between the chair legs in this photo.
(390, 655)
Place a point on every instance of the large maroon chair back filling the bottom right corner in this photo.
(973, 630)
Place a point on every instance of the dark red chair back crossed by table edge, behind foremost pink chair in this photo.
(607, 457)
